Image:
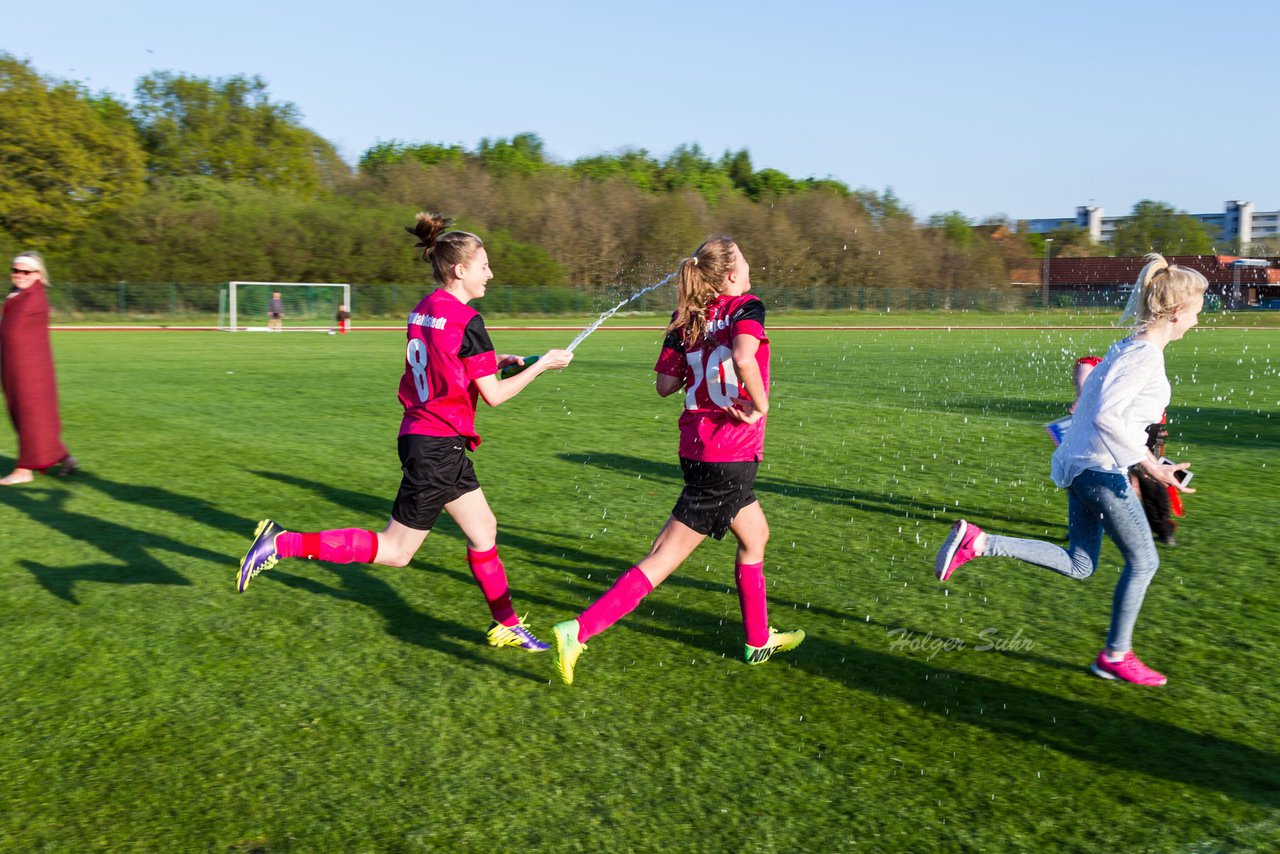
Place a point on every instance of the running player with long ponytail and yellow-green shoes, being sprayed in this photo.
(716, 351)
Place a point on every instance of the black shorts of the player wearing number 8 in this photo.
(437, 471)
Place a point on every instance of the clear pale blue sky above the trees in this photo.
(986, 108)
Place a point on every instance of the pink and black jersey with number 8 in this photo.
(449, 350)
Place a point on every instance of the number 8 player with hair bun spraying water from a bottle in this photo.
(450, 364)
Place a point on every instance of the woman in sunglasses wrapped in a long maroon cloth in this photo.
(28, 375)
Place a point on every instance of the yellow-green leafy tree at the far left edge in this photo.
(66, 157)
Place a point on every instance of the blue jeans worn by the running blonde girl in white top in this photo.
(1098, 503)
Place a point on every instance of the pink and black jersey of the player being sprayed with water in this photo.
(707, 432)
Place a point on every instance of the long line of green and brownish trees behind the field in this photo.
(205, 180)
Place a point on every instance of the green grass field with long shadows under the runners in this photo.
(148, 707)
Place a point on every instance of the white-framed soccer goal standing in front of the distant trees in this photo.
(308, 307)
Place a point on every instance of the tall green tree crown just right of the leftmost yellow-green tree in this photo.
(230, 130)
